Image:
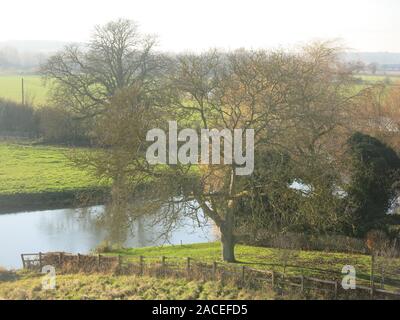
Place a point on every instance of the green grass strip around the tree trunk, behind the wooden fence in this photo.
(327, 265)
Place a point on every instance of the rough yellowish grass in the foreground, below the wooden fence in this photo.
(103, 286)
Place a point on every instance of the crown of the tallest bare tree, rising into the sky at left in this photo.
(84, 77)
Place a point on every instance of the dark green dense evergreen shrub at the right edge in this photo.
(374, 170)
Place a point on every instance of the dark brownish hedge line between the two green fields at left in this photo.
(50, 124)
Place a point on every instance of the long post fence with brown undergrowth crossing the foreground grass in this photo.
(192, 269)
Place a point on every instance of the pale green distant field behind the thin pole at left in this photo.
(35, 91)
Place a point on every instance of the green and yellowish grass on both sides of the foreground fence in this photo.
(327, 265)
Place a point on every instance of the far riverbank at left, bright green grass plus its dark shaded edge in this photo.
(32, 176)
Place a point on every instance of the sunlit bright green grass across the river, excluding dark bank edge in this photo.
(37, 169)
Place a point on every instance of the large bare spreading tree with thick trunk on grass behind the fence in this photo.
(293, 101)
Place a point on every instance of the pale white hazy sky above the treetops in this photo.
(365, 25)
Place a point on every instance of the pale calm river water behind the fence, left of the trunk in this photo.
(76, 231)
